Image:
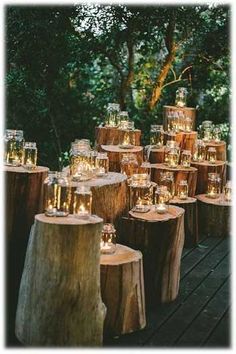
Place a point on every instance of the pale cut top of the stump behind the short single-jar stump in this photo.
(173, 212)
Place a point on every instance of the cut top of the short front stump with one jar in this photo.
(122, 255)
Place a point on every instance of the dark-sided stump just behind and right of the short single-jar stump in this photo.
(160, 238)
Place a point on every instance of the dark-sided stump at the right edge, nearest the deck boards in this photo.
(214, 216)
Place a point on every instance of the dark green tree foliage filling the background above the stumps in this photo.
(65, 64)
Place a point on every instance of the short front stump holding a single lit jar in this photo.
(122, 288)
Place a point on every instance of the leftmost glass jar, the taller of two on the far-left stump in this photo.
(13, 147)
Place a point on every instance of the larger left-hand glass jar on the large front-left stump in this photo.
(57, 194)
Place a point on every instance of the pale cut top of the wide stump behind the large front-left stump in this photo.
(110, 179)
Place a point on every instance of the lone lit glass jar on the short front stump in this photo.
(108, 239)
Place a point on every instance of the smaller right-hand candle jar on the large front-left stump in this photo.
(82, 202)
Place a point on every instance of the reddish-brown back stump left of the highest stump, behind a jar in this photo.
(112, 135)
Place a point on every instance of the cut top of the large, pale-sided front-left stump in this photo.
(68, 220)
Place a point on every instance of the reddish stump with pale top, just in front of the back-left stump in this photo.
(115, 154)
